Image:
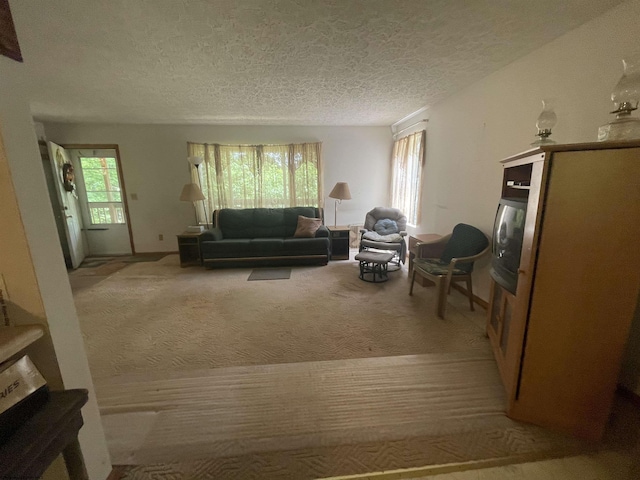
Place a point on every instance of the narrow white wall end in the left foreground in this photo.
(36, 218)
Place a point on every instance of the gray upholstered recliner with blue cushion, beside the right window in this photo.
(385, 229)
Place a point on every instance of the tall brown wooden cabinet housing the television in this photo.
(559, 340)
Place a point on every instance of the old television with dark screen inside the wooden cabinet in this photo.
(508, 232)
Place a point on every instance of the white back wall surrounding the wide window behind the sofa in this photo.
(155, 167)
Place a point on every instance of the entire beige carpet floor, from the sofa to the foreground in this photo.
(201, 374)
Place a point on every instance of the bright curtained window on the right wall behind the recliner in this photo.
(407, 164)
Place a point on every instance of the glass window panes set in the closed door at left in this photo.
(102, 184)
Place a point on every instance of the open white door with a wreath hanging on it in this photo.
(63, 174)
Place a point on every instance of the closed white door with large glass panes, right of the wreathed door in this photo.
(102, 200)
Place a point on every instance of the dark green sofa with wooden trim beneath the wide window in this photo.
(263, 237)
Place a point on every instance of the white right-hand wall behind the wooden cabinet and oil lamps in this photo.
(494, 118)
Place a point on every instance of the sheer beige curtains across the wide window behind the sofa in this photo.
(250, 176)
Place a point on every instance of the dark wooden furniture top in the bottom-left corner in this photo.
(32, 448)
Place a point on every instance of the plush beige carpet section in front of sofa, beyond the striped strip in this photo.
(157, 316)
